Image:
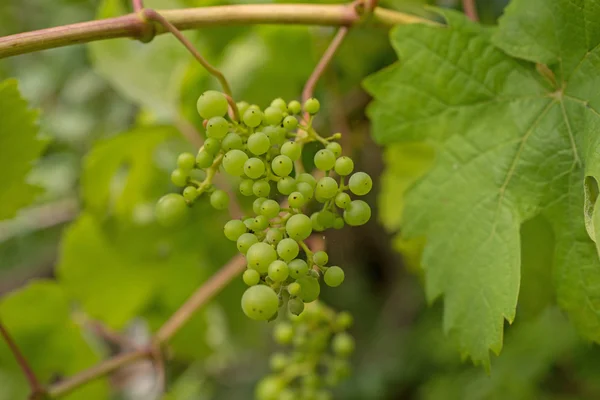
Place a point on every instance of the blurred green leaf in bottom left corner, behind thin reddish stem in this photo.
(38, 319)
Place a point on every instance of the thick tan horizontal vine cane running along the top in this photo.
(131, 25)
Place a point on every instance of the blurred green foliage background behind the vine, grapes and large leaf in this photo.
(88, 250)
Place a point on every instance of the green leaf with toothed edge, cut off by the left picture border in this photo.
(20, 147)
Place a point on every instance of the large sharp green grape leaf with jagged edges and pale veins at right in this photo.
(512, 140)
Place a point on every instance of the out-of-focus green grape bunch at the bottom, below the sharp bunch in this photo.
(317, 361)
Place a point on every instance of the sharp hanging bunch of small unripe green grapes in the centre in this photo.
(263, 150)
